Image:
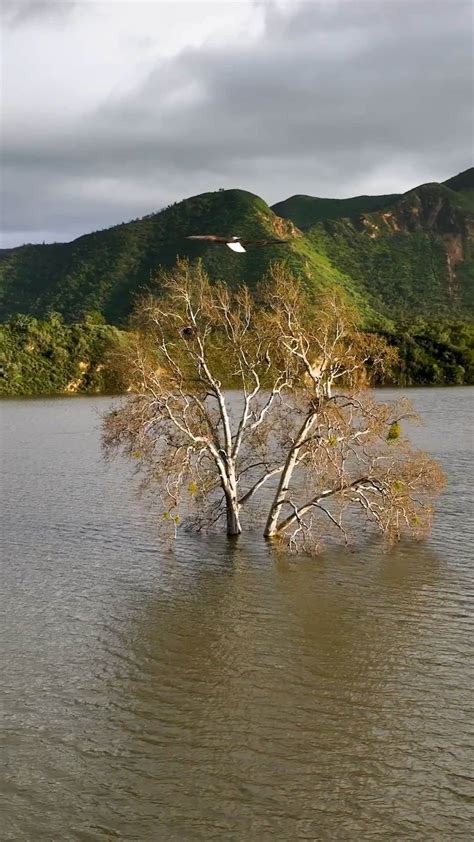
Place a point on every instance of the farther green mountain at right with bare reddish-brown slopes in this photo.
(413, 257)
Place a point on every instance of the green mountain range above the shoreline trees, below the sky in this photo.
(397, 255)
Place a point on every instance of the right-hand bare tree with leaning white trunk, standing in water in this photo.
(345, 449)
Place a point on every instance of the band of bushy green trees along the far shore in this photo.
(52, 357)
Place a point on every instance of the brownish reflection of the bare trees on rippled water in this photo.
(296, 698)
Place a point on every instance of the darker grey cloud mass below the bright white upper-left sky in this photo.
(331, 97)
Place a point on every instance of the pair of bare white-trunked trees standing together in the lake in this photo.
(231, 392)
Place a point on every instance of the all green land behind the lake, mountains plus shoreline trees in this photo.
(406, 260)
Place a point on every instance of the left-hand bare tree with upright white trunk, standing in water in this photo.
(196, 439)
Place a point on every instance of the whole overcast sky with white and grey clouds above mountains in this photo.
(113, 110)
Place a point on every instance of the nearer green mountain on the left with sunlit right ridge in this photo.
(103, 271)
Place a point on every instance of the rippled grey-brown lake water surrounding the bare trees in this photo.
(207, 690)
